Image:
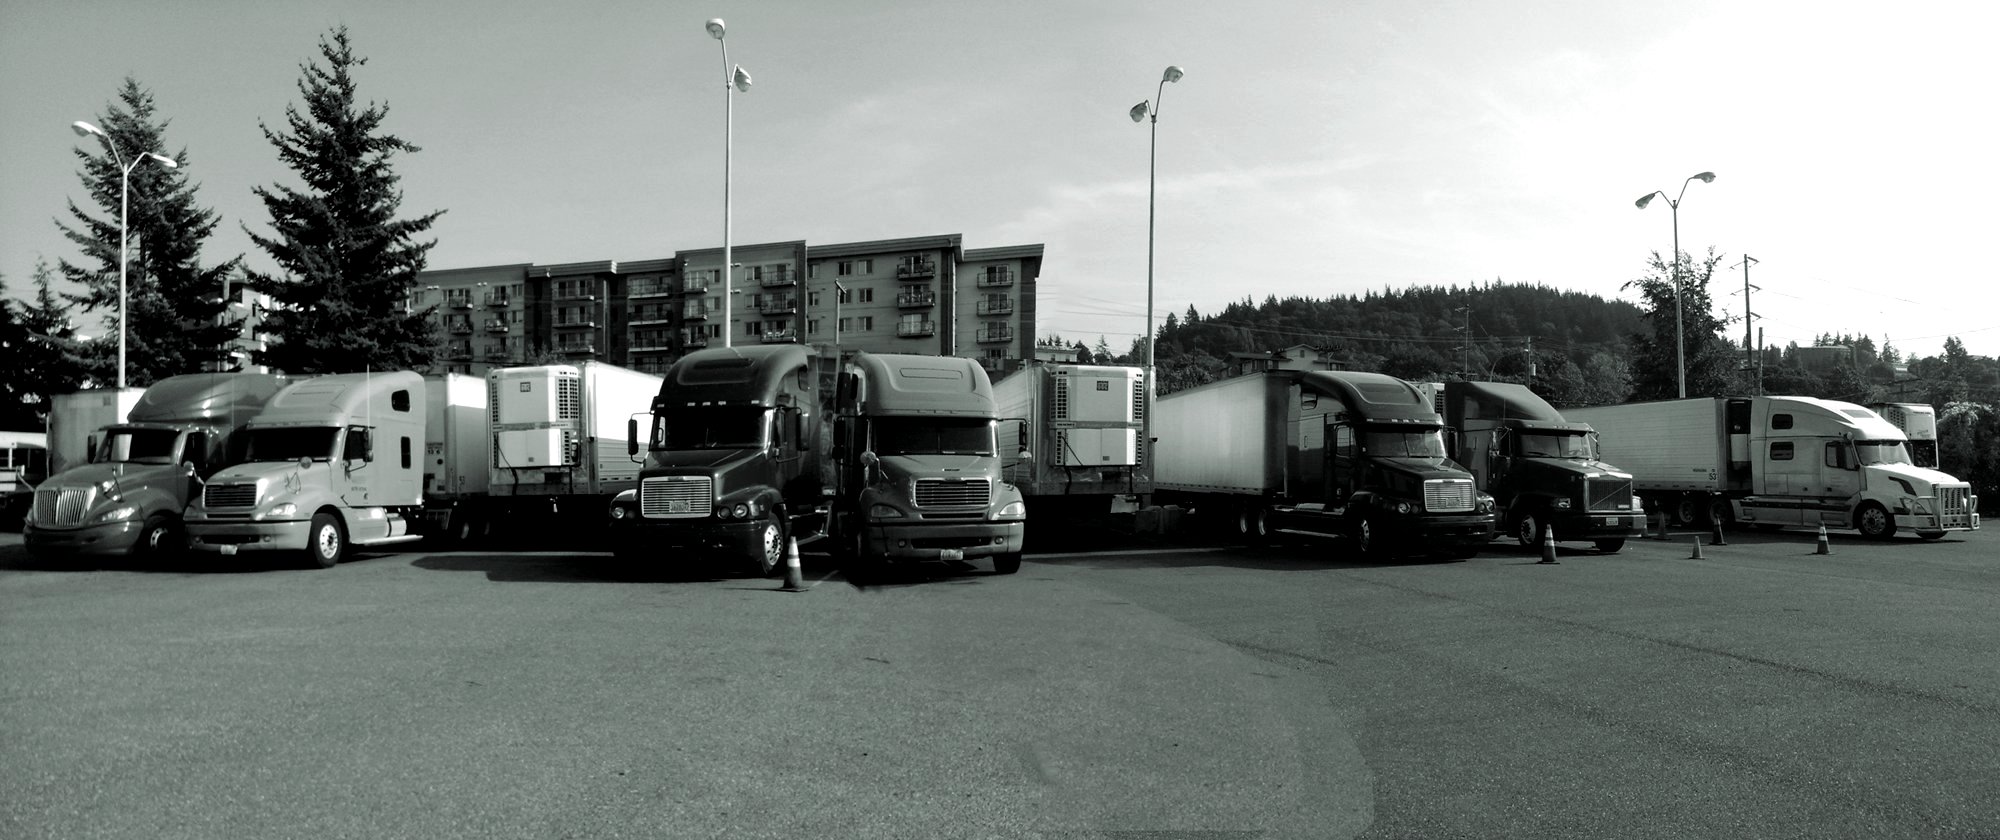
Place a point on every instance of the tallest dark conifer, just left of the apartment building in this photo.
(345, 261)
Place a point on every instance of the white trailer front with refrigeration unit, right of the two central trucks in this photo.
(1081, 427)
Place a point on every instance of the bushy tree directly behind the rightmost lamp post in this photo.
(1711, 359)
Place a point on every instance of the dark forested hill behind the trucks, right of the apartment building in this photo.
(1417, 333)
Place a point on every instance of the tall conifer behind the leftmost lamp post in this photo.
(175, 315)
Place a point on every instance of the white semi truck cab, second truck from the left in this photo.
(331, 463)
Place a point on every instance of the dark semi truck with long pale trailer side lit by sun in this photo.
(1325, 453)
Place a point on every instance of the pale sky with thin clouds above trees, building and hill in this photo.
(1313, 149)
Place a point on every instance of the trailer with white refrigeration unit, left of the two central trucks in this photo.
(561, 445)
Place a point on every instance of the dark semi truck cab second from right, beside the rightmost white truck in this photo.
(1545, 473)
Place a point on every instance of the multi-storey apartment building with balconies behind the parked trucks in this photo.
(923, 295)
